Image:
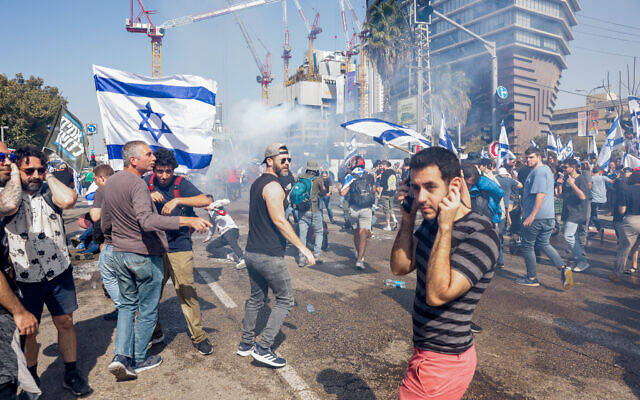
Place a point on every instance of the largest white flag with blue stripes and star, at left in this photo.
(175, 112)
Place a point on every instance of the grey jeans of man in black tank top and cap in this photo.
(266, 272)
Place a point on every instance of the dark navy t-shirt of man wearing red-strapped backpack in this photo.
(179, 240)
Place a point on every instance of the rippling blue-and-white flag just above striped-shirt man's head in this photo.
(385, 132)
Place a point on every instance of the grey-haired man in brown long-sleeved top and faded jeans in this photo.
(139, 241)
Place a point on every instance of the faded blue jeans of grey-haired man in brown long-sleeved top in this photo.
(140, 283)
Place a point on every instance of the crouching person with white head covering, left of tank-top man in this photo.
(229, 232)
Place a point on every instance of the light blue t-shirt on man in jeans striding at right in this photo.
(540, 180)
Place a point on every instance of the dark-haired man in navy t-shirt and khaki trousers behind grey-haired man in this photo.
(175, 195)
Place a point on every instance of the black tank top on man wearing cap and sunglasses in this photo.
(264, 236)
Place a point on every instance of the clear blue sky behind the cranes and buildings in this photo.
(59, 40)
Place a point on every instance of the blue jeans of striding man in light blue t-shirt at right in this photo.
(537, 235)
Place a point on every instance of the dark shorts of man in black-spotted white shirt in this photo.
(59, 294)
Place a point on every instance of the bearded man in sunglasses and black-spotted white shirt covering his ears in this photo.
(38, 249)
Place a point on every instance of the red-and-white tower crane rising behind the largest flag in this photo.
(136, 25)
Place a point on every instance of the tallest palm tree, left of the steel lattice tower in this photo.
(388, 43)
